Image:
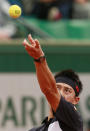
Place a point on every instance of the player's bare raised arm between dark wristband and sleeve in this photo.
(47, 84)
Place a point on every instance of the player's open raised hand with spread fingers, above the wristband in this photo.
(33, 48)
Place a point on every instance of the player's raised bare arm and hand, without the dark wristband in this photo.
(44, 75)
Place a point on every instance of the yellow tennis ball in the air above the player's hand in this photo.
(15, 11)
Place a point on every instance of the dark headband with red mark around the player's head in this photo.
(70, 82)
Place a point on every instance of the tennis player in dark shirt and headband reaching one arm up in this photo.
(62, 92)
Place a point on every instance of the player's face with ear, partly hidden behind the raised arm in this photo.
(67, 92)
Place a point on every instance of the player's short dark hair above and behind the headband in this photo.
(71, 75)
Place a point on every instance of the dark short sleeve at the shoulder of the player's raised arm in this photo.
(67, 113)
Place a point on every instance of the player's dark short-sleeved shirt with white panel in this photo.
(66, 118)
